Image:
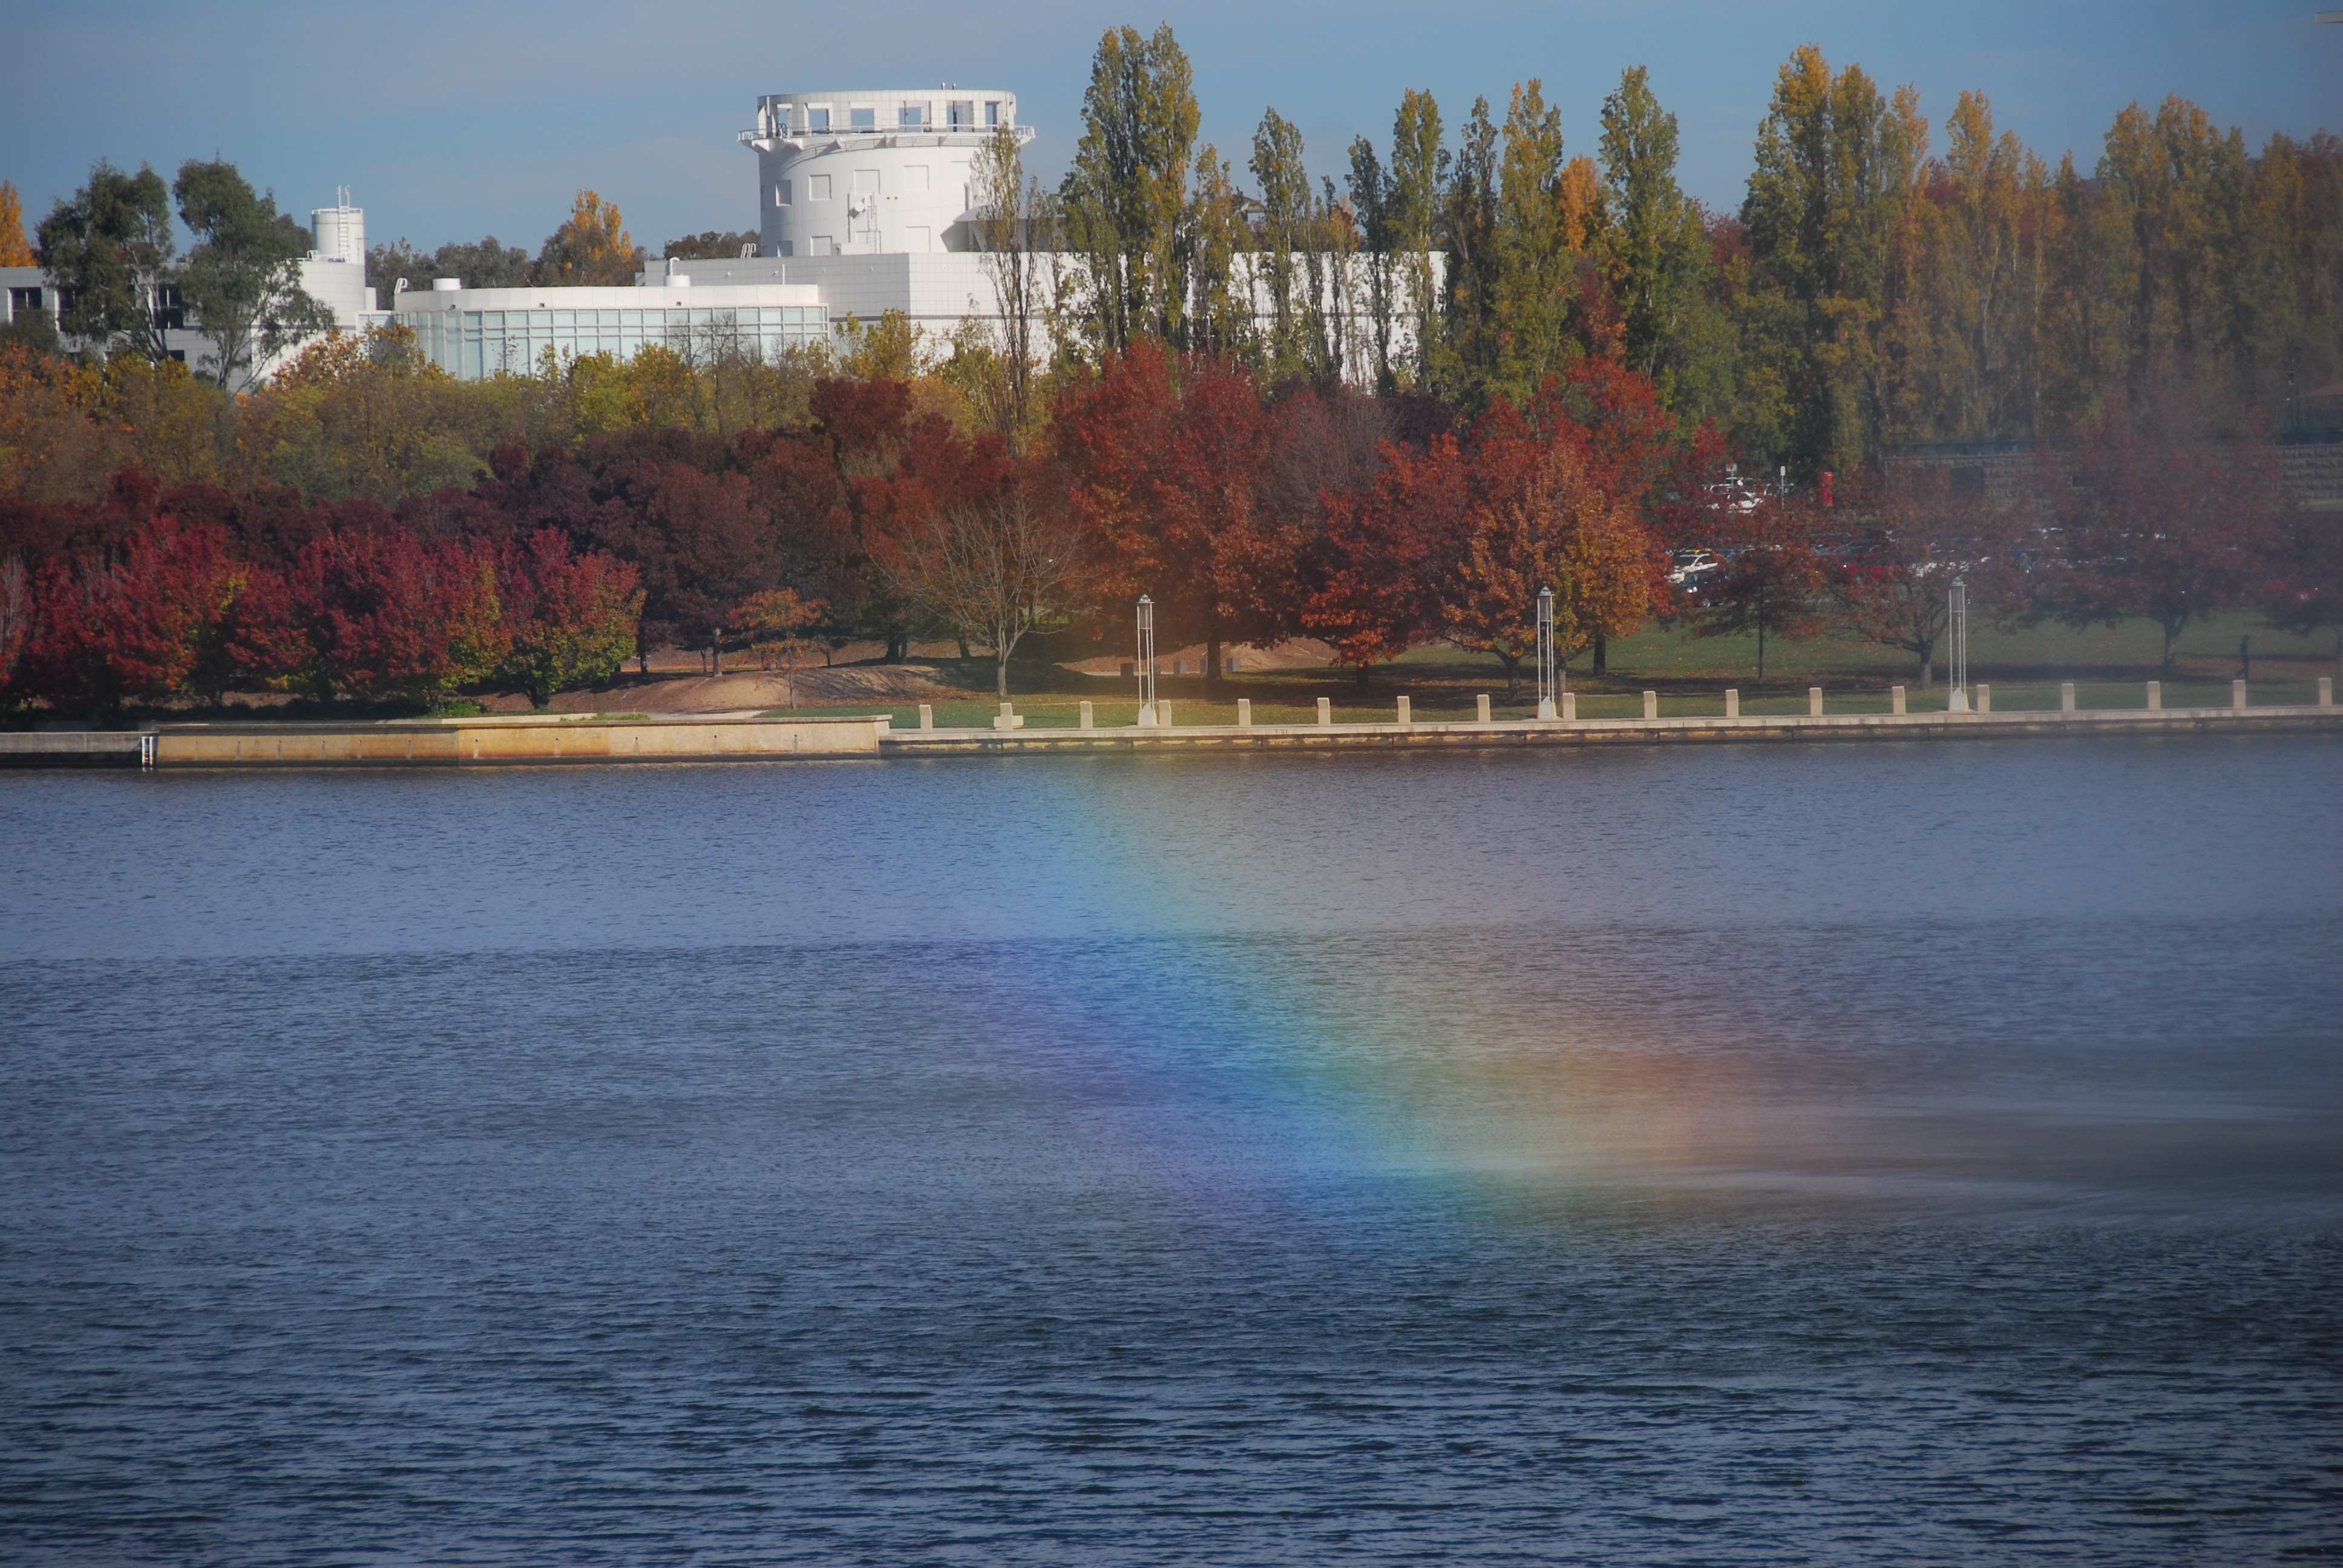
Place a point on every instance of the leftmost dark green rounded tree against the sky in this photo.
(107, 247)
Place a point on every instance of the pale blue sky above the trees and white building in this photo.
(456, 121)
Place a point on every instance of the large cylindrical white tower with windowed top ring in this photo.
(870, 172)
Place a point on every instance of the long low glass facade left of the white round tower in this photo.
(479, 343)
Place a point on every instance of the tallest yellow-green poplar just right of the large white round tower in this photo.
(1128, 189)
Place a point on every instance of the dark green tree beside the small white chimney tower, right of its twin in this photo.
(243, 278)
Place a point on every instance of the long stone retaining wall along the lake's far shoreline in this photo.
(763, 737)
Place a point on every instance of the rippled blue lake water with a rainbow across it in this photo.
(1676, 1157)
